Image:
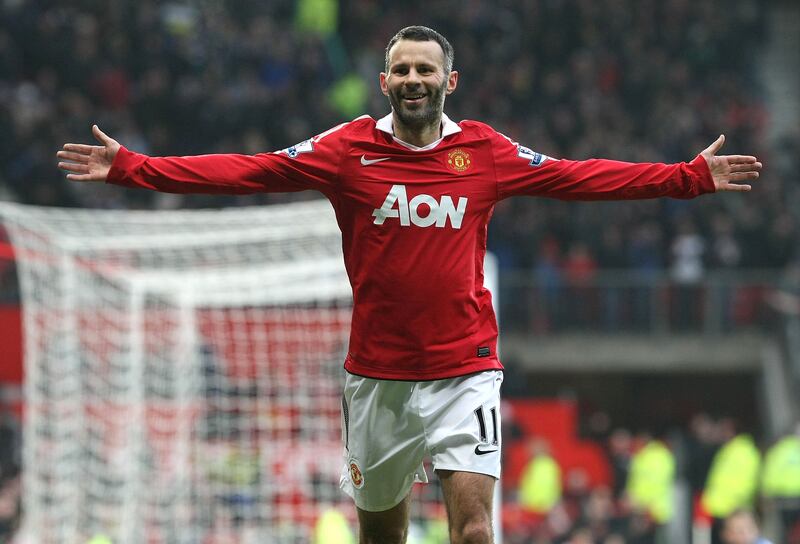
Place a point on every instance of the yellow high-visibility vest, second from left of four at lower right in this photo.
(651, 480)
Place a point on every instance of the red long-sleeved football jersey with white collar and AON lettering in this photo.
(414, 223)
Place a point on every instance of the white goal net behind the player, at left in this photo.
(183, 374)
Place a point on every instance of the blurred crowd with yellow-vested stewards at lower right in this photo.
(721, 468)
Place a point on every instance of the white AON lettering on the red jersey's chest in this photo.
(435, 212)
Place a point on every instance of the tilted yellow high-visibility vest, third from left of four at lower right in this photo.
(733, 477)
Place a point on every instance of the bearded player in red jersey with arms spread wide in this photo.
(413, 193)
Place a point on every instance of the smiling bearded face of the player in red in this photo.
(416, 83)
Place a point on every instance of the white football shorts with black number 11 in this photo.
(389, 426)
